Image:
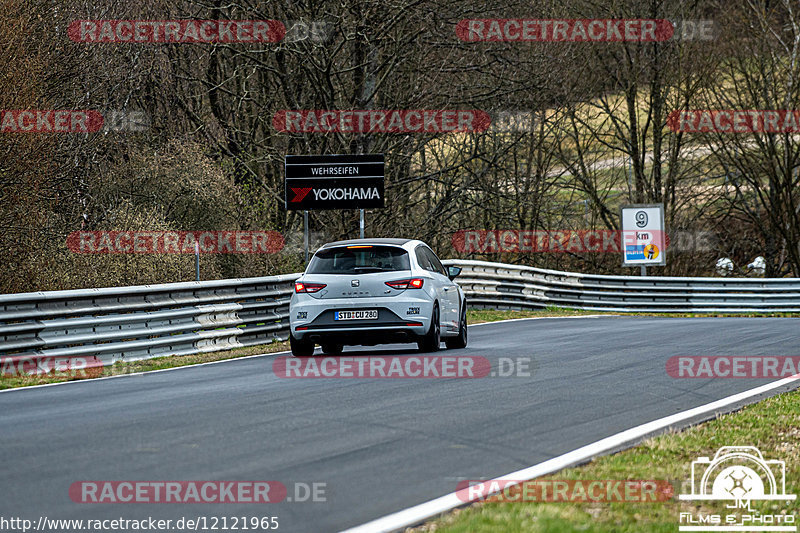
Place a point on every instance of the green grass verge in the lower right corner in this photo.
(772, 425)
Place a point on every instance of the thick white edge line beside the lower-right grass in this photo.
(423, 511)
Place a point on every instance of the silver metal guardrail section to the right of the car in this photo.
(498, 285)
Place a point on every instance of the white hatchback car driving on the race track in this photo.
(376, 291)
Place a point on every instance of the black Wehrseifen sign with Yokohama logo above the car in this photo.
(334, 181)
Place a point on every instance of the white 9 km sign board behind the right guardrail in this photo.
(643, 237)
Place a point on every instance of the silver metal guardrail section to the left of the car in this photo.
(103, 326)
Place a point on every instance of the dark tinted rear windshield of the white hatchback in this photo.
(359, 260)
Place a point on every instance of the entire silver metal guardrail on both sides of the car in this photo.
(134, 323)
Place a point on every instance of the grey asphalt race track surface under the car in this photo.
(378, 445)
